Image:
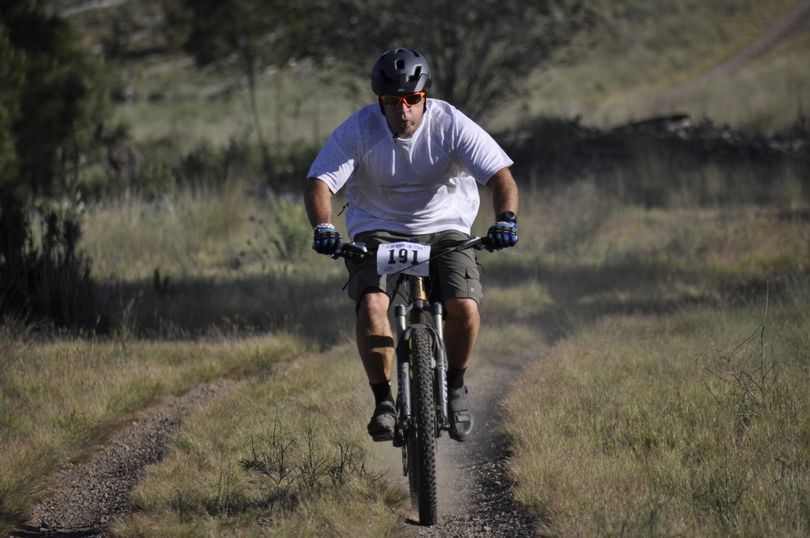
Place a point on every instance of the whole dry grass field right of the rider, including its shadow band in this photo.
(673, 401)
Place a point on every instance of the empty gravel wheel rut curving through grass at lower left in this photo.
(87, 495)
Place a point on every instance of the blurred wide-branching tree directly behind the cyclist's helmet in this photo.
(481, 53)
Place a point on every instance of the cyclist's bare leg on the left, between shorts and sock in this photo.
(375, 342)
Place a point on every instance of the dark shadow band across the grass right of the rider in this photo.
(583, 294)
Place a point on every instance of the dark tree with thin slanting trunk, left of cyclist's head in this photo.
(252, 34)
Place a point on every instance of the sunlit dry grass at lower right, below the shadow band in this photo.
(691, 423)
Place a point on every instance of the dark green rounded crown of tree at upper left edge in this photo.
(55, 102)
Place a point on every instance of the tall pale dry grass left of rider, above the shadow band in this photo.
(190, 234)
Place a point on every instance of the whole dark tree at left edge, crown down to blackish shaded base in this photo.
(52, 104)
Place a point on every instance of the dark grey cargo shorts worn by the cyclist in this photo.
(454, 275)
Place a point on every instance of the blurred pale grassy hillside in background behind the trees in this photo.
(737, 62)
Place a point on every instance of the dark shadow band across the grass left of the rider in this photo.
(190, 308)
